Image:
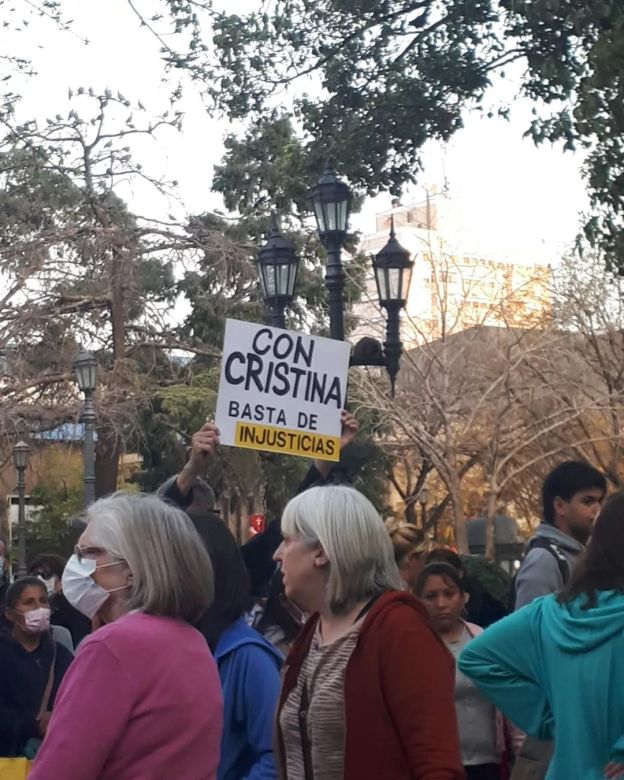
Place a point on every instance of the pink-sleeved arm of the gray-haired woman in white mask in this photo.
(89, 718)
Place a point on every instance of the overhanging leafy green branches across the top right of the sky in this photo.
(375, 80)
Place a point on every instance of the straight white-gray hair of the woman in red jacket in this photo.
(352, 534)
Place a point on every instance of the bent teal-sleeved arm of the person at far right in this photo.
(503, 664)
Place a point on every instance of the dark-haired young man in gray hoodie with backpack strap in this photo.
(572, 494)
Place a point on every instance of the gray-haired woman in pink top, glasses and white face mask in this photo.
(142, 699)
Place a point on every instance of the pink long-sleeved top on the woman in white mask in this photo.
(141, 700)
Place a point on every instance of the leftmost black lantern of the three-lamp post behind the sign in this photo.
(277, 268)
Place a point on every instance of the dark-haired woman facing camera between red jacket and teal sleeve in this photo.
(481, 735)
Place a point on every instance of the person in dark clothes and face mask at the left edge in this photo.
(32, 666)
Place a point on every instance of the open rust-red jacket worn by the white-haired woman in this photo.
(399, 700)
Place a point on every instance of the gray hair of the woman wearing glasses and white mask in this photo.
(172, 573)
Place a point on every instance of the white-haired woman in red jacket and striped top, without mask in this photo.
(368, 688)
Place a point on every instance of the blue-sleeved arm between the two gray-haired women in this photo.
(261, 688)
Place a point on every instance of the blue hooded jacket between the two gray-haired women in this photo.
(249, 668)
